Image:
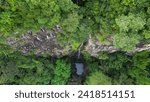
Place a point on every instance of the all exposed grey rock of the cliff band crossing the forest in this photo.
(44, 42)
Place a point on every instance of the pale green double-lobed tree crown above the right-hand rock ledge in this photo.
(128, 36)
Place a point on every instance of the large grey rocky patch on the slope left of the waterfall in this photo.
(42, 42)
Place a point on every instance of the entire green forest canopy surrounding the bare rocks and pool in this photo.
(124, 24)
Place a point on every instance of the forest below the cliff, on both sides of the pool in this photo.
(118, 69)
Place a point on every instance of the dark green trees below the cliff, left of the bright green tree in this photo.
(16, 69)
